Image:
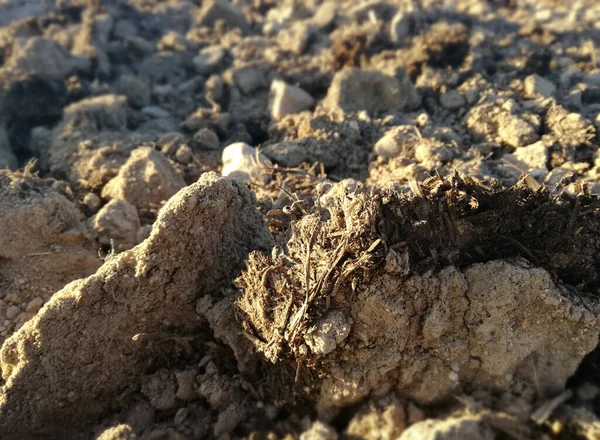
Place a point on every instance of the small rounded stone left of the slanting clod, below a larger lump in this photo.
(117, 224)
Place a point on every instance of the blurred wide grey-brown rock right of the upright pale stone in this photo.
(354, 89)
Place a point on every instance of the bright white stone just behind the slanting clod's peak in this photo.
(240, 162)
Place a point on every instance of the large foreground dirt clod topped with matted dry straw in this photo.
(413, 293)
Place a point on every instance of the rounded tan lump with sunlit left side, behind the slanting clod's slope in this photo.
(146, 180)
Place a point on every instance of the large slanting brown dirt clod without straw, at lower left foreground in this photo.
(99, 328)
